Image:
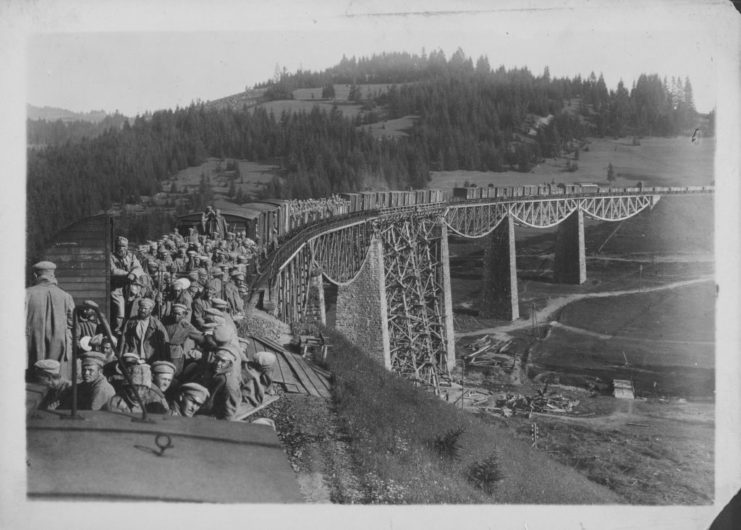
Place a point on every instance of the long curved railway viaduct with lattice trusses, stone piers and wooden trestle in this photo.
(391, 267)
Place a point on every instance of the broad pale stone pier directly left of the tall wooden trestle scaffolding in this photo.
(362, 313)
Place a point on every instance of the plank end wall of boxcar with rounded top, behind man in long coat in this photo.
(81, 252)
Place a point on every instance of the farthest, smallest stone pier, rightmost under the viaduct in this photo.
(570, 265)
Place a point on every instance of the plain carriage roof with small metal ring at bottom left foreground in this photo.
(107, 456)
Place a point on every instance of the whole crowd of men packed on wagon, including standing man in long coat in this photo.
(171, 344)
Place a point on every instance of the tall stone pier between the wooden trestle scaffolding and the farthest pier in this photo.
(500, 299)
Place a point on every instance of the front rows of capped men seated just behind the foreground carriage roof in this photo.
(219, 379)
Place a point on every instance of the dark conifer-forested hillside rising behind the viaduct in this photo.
(468, 117)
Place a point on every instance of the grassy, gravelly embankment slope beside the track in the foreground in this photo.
(380, 439)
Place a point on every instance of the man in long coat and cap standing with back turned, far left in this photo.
(49, 319)
